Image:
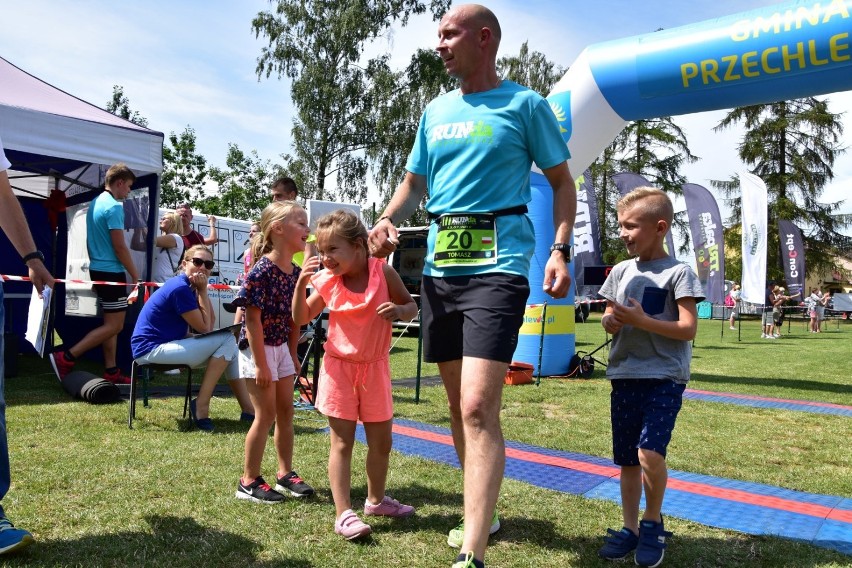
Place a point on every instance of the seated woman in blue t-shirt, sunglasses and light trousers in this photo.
(161, 335)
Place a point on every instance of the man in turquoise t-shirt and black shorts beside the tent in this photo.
(109, 258)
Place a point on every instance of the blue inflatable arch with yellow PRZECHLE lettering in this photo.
(782, 52)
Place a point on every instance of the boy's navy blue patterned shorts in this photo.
(643, 413)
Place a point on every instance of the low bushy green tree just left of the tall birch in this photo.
(243, 185)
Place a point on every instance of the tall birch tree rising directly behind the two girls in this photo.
(319, 44)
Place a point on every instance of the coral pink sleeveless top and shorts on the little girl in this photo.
(354, 382)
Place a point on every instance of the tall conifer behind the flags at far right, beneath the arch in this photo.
(791, 146)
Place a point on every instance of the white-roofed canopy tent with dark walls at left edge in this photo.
(57, 141)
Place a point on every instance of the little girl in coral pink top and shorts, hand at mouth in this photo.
(363, 295)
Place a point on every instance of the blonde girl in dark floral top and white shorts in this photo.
(268, 350)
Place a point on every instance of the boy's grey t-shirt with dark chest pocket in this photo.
(657, 285)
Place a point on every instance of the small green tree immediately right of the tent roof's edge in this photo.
(184, 170)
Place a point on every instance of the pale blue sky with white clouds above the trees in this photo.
(193, 63)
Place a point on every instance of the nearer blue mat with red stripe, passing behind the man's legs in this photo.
(753, 508)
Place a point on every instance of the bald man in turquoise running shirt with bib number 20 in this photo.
(473, 303)
